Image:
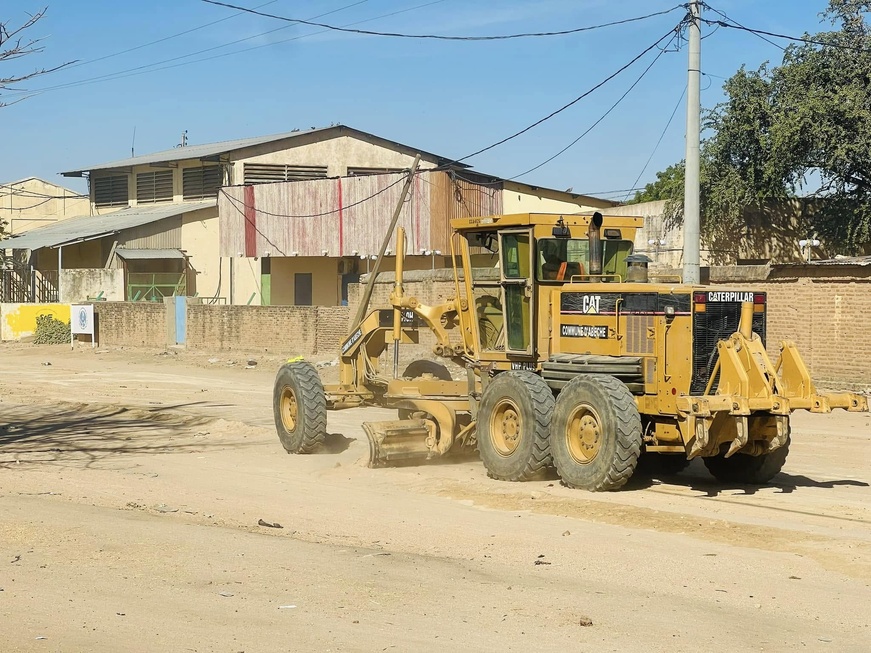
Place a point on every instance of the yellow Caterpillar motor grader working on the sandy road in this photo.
(575, 356)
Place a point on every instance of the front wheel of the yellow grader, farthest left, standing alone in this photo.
(299, 407)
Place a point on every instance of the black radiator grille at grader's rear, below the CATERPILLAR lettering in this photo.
(717, 322)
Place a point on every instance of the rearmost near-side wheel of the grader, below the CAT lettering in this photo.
(596, 433)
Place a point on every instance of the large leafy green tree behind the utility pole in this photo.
(801, 128)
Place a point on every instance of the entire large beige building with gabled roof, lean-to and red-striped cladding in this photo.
(151, 227)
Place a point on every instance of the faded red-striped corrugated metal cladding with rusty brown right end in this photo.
(265, 222)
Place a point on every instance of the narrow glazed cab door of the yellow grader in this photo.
(516, 266)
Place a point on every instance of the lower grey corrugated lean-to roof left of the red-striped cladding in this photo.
(92, 226)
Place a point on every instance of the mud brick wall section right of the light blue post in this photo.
(281, 329)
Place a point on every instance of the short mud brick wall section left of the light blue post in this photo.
(131, 324)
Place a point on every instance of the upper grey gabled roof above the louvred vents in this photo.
(215, 149)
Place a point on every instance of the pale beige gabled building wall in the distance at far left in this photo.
(32, 203)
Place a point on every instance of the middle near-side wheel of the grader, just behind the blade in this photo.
(513, 423)
